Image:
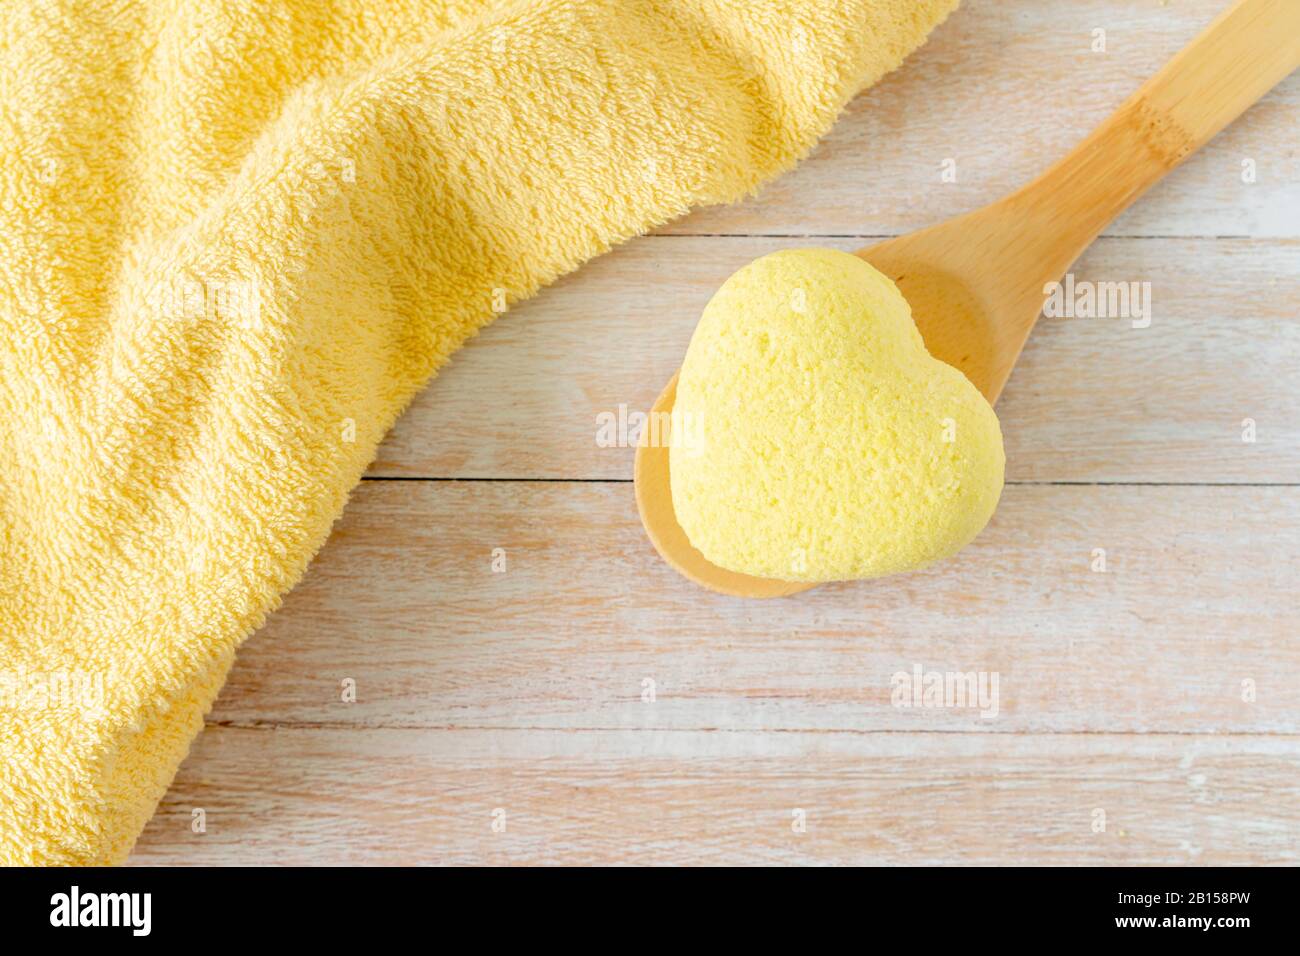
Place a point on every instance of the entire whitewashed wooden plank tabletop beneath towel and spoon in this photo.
(1160, 698)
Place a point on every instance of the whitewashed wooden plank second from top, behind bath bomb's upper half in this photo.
(1093, 400)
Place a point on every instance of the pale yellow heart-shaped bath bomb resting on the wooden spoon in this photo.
(816, 439)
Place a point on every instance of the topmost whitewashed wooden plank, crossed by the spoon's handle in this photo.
(1003, 89)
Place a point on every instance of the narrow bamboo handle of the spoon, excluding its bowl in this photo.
(1233, 63)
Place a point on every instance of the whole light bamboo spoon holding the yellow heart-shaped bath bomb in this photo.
(977, 283)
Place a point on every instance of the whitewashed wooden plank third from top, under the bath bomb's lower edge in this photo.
(1198, 598)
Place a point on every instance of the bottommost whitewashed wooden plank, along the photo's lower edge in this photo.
(428, 797)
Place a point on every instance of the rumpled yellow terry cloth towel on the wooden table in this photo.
(239, 236)
